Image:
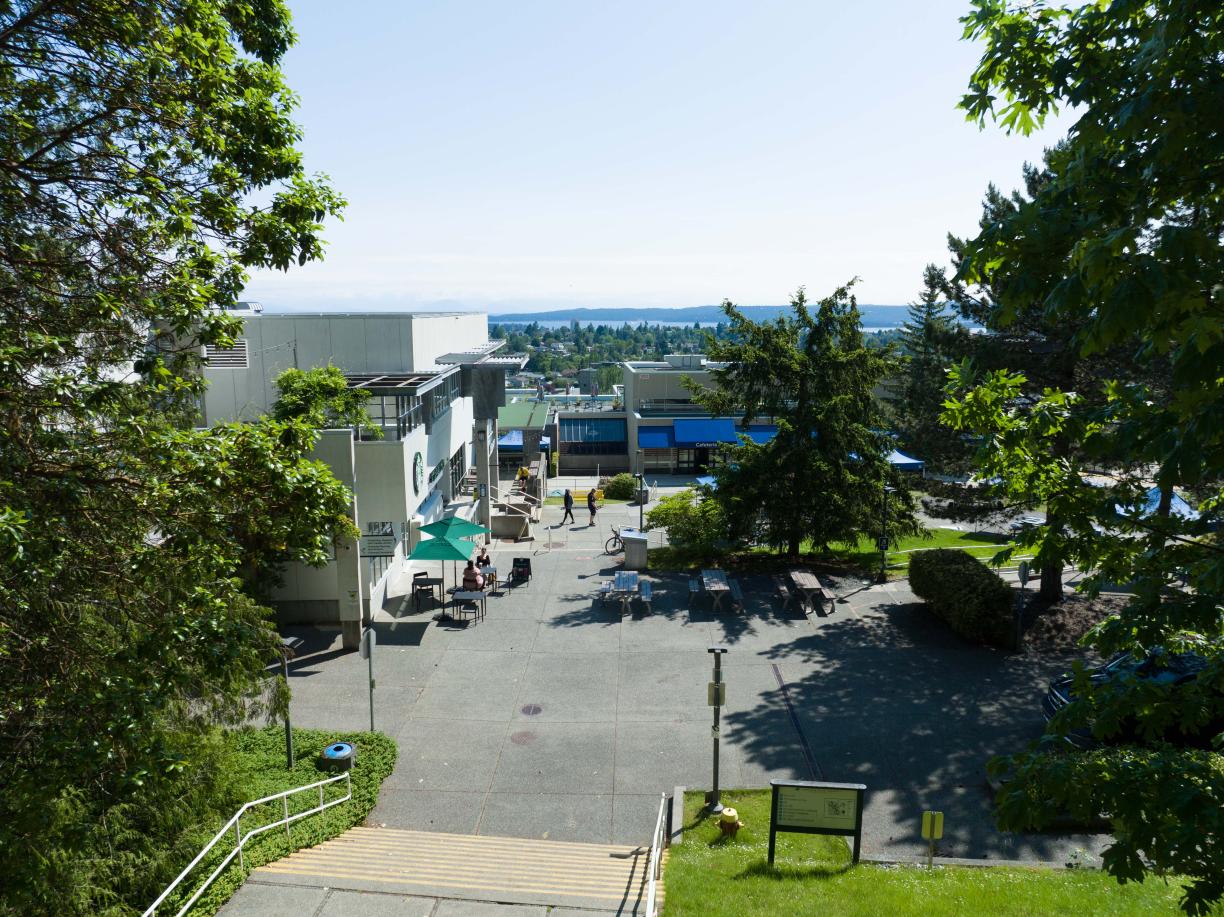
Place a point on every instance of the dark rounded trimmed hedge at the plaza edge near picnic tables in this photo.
(965, 593)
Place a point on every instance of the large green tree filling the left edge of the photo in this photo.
(147, 161)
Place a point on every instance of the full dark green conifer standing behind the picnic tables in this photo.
(822, 477)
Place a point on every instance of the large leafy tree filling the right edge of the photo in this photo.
(1121, 245)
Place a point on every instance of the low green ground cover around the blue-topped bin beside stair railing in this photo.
(260, 762)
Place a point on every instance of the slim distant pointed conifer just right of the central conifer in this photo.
(930, 340)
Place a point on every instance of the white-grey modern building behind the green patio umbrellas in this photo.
(435, 387)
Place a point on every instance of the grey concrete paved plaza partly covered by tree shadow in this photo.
(555, 718)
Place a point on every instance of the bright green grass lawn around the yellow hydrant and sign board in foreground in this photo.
(711, 877)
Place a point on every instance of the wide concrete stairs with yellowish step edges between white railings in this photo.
(473, 867)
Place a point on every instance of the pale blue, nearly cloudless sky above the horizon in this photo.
(534, 156)
